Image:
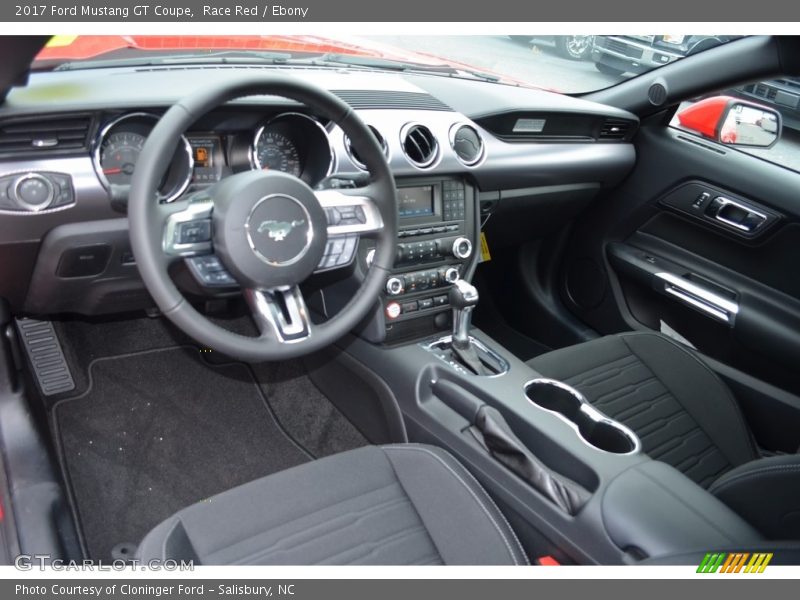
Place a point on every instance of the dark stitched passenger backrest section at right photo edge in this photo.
(765, 492)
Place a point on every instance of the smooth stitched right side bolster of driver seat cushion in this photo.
(447, 497)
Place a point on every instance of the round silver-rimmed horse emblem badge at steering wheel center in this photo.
(279, 230)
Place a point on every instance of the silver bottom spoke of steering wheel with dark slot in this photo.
(280, 313)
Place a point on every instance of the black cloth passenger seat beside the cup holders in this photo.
(685, 416)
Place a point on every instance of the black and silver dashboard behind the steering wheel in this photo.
(459, 150)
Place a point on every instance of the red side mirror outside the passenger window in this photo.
(733, 122)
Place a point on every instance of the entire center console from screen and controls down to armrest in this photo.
(574, 483)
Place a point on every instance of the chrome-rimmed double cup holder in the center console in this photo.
(594, 427)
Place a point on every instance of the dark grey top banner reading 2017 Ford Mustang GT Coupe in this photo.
(608, 11)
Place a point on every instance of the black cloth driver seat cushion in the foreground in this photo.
(390, 505)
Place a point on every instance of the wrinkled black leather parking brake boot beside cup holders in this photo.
(492, 431)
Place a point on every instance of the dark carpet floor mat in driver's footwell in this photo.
(157, 431)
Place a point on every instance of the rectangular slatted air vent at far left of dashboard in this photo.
(45, 134)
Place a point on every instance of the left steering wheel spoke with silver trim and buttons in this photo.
(188, 230)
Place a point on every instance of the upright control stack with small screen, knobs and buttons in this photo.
(437, 237)
